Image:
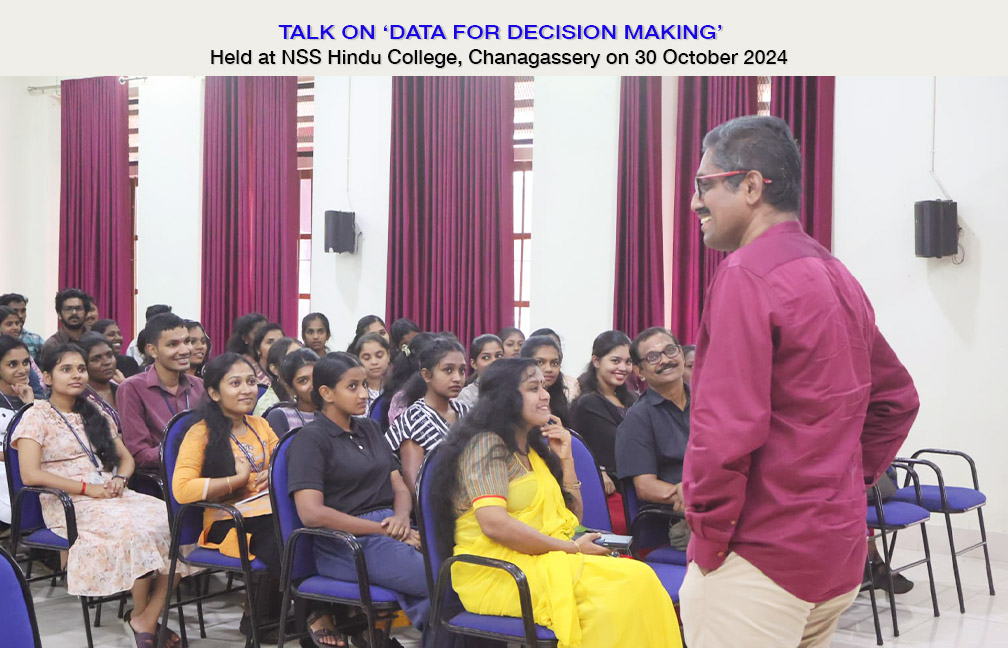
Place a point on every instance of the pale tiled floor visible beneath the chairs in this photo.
(984, 624)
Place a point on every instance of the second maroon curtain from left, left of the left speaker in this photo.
(250, 202)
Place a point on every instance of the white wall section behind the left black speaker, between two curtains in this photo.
(347, 287)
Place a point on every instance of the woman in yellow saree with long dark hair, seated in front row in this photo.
(512, 493)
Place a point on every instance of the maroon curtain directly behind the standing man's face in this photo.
(704, 102)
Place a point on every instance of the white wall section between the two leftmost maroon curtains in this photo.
(170, 196)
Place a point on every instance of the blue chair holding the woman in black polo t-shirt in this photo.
(300, 578)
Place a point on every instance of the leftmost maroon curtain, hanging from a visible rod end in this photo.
(96, 227)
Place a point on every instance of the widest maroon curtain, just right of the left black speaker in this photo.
(451, 253)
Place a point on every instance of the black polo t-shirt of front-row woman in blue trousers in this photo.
(352, 470)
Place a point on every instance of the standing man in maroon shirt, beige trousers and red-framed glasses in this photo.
(799, 405)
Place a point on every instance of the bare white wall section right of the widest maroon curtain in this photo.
(574, 210)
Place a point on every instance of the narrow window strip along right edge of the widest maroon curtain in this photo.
(524, 113)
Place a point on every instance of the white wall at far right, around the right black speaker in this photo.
(946, 322)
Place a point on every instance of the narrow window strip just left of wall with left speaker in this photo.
(306, 156)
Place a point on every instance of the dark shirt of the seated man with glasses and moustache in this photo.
(653, 439)
